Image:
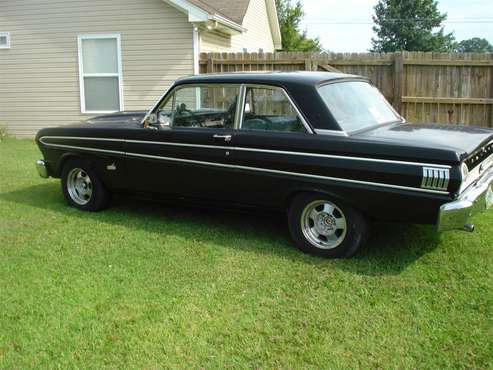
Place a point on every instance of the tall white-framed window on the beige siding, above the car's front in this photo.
(100, 73)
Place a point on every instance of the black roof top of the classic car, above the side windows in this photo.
(269, 78)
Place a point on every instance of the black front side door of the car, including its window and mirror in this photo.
(186, 152)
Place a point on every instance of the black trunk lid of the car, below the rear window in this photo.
(461, 139)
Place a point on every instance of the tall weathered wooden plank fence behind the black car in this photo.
(424, 87)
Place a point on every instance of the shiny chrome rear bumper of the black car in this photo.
(477, 198)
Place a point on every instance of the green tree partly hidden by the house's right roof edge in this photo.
(293, 39)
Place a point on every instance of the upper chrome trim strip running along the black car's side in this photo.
(316, 155)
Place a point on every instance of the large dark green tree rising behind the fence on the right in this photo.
(411, 25)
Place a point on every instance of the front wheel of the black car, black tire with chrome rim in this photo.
(98, 199)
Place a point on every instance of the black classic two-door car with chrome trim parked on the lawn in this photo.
(325, 148)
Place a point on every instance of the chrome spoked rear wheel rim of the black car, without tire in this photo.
(323, 224)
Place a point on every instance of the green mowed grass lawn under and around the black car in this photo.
(148, 285)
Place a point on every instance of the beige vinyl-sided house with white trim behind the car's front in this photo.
(66, 60)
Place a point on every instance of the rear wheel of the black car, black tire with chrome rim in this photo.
(349, 239)
